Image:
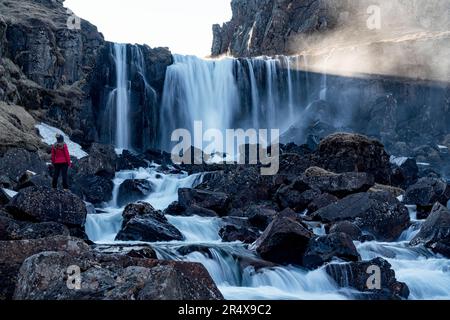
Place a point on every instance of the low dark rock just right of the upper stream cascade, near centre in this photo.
(216, 201)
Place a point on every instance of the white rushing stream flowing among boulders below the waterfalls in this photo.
(427, 275)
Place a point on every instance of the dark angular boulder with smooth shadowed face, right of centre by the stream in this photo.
(284, 241)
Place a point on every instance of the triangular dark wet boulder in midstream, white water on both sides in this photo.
(143, 223)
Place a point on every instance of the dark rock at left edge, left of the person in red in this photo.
(17, 161)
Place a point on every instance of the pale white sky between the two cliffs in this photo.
(185, 26)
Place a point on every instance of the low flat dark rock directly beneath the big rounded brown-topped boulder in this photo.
(339, 185)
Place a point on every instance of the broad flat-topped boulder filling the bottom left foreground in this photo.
(44, 276)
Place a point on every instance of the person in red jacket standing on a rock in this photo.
(61, 161)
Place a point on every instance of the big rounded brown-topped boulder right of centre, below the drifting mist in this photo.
(345, 152)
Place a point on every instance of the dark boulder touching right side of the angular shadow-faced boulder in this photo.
(323, 249)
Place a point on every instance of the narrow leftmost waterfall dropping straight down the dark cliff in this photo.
(120, 97)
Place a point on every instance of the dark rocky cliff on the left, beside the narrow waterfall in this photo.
(53, 63)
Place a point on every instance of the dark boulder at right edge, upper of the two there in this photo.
(425, 193)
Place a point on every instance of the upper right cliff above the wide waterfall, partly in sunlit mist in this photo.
(270, 27)
